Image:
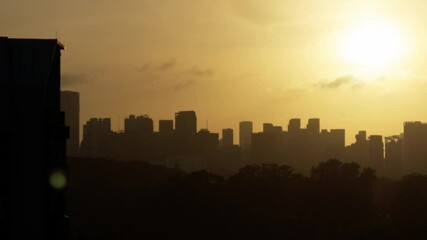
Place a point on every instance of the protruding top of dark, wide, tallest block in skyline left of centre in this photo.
(186, 123)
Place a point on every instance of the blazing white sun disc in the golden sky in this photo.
(375, 44)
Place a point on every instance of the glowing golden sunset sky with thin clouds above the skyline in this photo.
(358, 65)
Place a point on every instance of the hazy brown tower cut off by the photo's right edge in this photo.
(415, 147)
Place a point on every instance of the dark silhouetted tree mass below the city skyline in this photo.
(109, 199)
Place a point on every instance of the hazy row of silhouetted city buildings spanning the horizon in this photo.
(179, 143)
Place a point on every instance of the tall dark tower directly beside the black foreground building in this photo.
(70, 105)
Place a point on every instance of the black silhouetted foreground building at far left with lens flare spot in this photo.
(32, 142)
